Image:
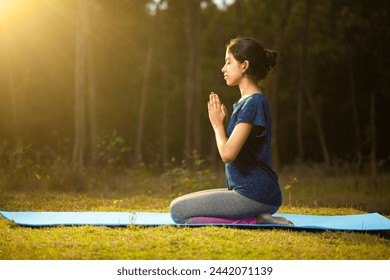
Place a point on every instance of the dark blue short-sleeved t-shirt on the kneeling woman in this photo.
(250, 174)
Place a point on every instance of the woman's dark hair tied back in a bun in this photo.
(260, 60)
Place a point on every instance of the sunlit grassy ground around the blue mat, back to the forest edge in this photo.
(138, 189)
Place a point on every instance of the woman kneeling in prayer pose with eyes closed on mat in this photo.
(253, 193)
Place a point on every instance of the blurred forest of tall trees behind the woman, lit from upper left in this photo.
(97, 89)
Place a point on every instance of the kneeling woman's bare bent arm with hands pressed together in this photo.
(228, 147)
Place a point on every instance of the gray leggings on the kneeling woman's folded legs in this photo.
(221, 203)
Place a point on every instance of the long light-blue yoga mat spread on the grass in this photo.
(360, 222)
